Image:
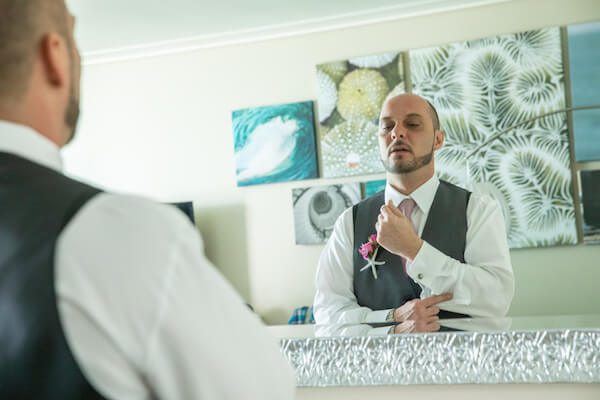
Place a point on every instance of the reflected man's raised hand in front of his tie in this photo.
(396, 233)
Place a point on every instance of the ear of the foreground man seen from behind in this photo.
(55, 59)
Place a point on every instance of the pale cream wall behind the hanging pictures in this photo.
(161, 127)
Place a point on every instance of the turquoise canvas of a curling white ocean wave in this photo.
(275, 144)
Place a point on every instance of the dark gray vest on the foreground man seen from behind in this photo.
(36, 203)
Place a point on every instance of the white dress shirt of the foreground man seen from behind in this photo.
(145, 313)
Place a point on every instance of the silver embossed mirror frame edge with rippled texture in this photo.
(446, 358)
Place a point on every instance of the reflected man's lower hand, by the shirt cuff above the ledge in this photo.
(420, 315)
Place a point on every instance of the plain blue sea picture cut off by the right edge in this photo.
(584, 58)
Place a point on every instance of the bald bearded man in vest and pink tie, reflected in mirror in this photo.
(442, 251)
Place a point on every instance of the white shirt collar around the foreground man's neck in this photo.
(23, 141)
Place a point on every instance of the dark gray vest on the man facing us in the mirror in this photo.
(445, 229)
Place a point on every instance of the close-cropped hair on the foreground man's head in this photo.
(23, 23)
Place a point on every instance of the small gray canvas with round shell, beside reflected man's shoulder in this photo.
(317, 208)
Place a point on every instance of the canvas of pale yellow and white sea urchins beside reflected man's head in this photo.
(350, 96)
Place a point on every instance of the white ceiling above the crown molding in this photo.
(115, 29)
